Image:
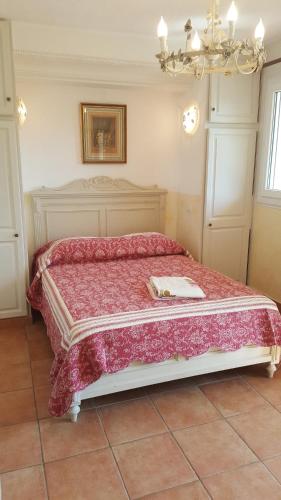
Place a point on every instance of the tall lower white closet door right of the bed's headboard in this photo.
(228, 200)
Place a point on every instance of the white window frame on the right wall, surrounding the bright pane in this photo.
(271, 83)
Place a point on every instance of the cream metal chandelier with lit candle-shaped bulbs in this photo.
(214, 51)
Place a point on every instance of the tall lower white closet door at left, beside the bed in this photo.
(12, 255)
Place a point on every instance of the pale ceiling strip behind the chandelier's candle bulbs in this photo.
(138, 17)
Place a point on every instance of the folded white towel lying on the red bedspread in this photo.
(170, 286)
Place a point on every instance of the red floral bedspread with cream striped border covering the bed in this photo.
(100, 316)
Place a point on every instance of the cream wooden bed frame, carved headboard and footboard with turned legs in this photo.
(102, 206)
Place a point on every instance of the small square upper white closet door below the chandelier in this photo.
(234, 99)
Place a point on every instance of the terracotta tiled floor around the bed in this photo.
(216, 436)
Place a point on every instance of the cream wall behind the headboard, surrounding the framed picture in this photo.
(51, 149)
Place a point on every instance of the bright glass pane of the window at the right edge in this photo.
(273, 179)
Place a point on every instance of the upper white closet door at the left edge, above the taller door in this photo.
(7, 97)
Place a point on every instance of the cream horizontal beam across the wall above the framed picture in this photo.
(94, 71)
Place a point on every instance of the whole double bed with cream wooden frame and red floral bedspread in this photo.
(107, 332)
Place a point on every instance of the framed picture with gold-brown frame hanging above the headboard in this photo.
(104, 130)
